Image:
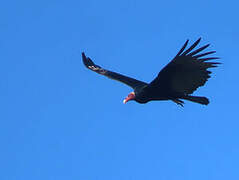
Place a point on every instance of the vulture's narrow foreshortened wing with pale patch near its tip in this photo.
(134, 83)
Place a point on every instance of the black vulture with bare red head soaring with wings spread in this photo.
(176, 81)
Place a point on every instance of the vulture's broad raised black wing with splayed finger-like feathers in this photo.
(187, 71)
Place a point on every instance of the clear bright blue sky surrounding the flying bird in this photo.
(61, 121)
